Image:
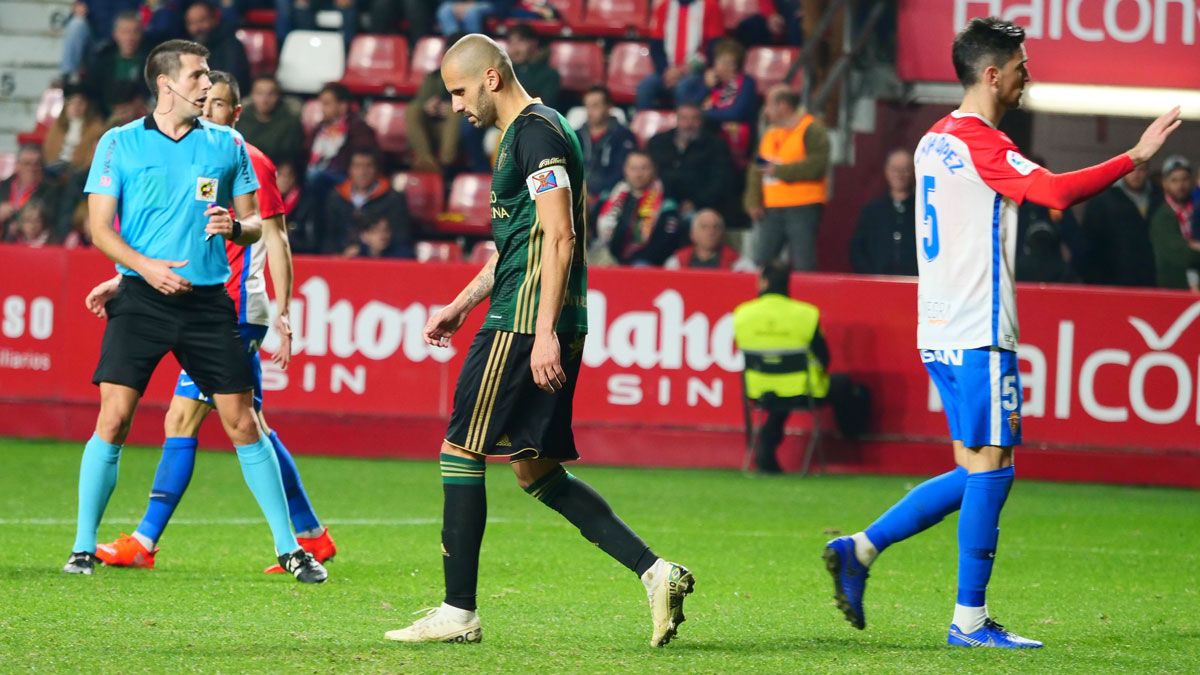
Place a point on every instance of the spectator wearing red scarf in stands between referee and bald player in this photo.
(339, 135)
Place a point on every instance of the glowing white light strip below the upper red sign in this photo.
(1103, 100)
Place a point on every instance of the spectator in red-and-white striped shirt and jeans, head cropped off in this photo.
(682, 32)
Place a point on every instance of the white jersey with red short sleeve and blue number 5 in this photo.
(970, 181)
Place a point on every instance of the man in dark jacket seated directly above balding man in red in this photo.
(694, 163)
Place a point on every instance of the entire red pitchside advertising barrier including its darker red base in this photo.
(1112, 378)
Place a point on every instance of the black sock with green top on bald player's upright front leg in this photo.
(464, 516)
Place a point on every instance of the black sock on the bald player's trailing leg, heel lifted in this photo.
(587, 511)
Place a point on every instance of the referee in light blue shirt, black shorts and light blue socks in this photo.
(164, 176)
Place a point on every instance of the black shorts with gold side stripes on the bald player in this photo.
(500, 411)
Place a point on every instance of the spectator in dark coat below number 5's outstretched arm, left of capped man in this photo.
(1117, 225)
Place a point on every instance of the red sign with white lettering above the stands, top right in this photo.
(1123, 43)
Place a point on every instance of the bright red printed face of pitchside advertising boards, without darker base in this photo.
(1101, 368)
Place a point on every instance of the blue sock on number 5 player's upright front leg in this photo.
(980, 533)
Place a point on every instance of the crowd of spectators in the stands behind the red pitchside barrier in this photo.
(724, 156)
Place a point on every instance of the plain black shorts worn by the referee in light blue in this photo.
(200, 327)
